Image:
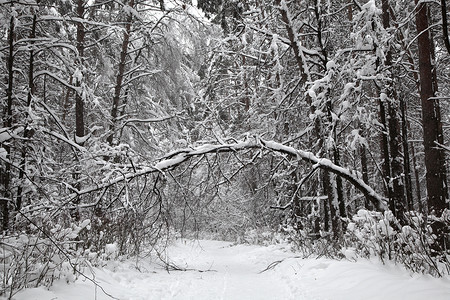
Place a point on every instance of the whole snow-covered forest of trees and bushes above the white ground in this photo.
(128, 124)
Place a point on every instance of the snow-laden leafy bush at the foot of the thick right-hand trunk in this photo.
(415, 245)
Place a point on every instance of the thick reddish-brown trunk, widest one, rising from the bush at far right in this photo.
(432, 127)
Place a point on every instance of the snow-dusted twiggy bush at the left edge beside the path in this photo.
(41, 256)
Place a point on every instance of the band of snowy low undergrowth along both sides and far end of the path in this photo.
(41, 254)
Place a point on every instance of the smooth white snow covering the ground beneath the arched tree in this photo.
(220, 270)
